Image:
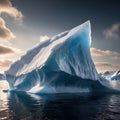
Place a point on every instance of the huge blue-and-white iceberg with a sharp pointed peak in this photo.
(58, 64)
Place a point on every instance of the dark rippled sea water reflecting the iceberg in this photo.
(22, 106)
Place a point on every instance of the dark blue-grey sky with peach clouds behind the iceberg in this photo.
(24, 23)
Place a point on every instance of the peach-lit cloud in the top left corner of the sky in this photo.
(7, 7)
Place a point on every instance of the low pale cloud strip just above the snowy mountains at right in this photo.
(103, 66)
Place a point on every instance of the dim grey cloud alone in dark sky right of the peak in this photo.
(113, 31)
